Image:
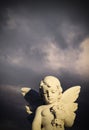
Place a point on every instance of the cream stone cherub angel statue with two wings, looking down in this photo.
(52, 109)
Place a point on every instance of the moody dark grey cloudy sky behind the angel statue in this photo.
(39, 38)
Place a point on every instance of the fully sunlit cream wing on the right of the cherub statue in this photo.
(68, 104)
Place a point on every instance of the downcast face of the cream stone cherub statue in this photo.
(50, 94)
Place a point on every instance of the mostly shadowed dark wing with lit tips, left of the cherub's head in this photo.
(33, 99)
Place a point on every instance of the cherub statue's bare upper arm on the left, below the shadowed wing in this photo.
(36, 125)
